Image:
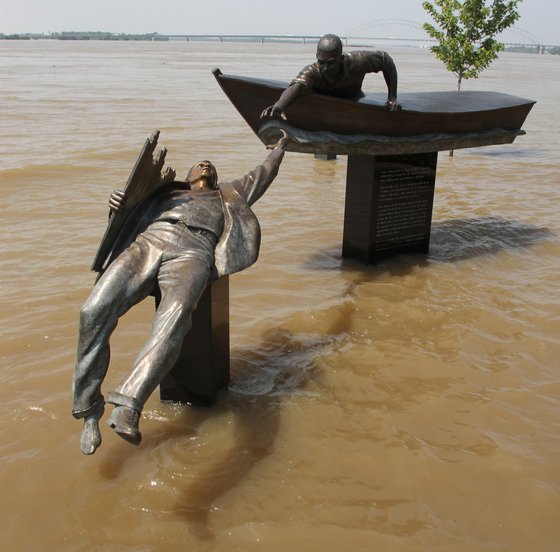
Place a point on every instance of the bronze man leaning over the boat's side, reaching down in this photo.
(338, 74)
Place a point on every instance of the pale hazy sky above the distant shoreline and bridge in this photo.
(539, 18)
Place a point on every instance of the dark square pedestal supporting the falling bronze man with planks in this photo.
(203, 366)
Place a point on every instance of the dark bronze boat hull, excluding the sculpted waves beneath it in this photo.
(422, 113)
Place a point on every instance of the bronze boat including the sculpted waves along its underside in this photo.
(428, 121)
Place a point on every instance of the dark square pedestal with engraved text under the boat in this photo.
(388, 206)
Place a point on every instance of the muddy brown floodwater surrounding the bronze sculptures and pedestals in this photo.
(413, 405)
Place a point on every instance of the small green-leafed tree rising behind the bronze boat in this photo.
(466, 31)
